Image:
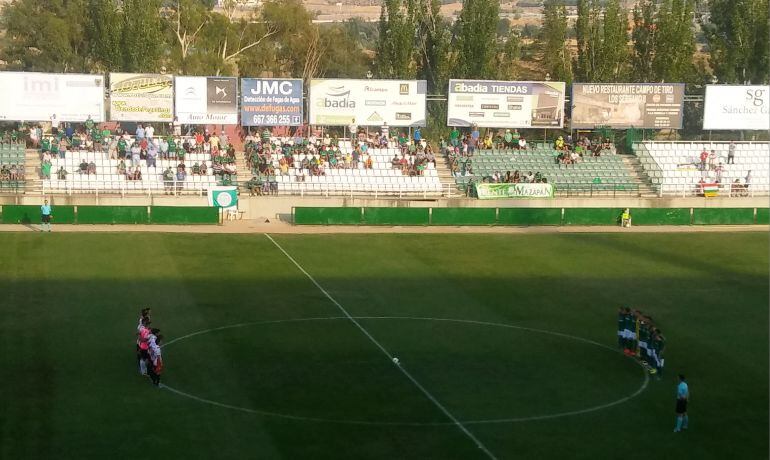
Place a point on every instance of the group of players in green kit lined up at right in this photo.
(638, 336)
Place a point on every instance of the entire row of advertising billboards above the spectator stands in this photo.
(34, 96)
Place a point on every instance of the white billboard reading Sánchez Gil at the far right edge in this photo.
(737, 107)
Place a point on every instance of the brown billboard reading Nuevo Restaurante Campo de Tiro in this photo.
(627, 105)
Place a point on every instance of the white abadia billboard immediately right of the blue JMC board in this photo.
(367, 102)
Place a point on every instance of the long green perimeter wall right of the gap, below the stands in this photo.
(529, 216)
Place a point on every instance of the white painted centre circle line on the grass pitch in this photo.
(616, 402)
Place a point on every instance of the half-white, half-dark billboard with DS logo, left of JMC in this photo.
(206, 100)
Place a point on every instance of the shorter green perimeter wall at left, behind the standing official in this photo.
(30, 214)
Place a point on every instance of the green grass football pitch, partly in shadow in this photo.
(294, 380)
